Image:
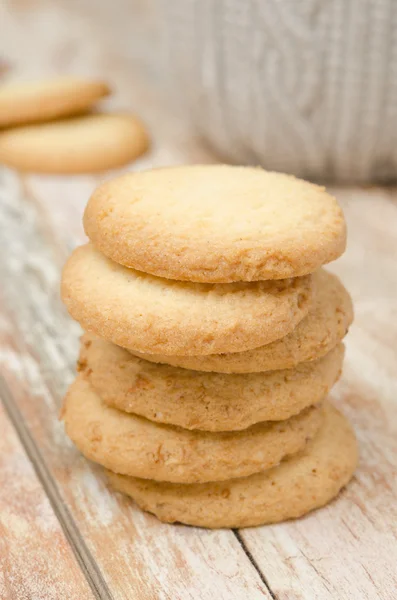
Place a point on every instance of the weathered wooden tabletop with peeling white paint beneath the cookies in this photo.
(63, 534)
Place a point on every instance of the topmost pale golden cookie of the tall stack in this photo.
(216, 223)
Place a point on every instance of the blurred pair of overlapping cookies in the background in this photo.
(55, 126)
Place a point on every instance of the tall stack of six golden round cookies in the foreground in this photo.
(212, 337)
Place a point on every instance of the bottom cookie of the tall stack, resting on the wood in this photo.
(298, 485)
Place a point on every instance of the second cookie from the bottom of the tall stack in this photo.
(132, 445)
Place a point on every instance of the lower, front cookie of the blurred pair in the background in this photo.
(84, 144)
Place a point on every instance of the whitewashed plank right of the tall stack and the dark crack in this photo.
(349, 549)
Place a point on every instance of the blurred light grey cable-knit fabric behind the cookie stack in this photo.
(302, 86)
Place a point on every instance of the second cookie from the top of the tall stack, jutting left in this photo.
(151, 314)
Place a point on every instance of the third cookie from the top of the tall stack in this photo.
(325, 325)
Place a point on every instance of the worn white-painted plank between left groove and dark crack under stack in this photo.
(137, 556)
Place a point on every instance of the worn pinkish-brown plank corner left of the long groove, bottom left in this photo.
(36, 560)
